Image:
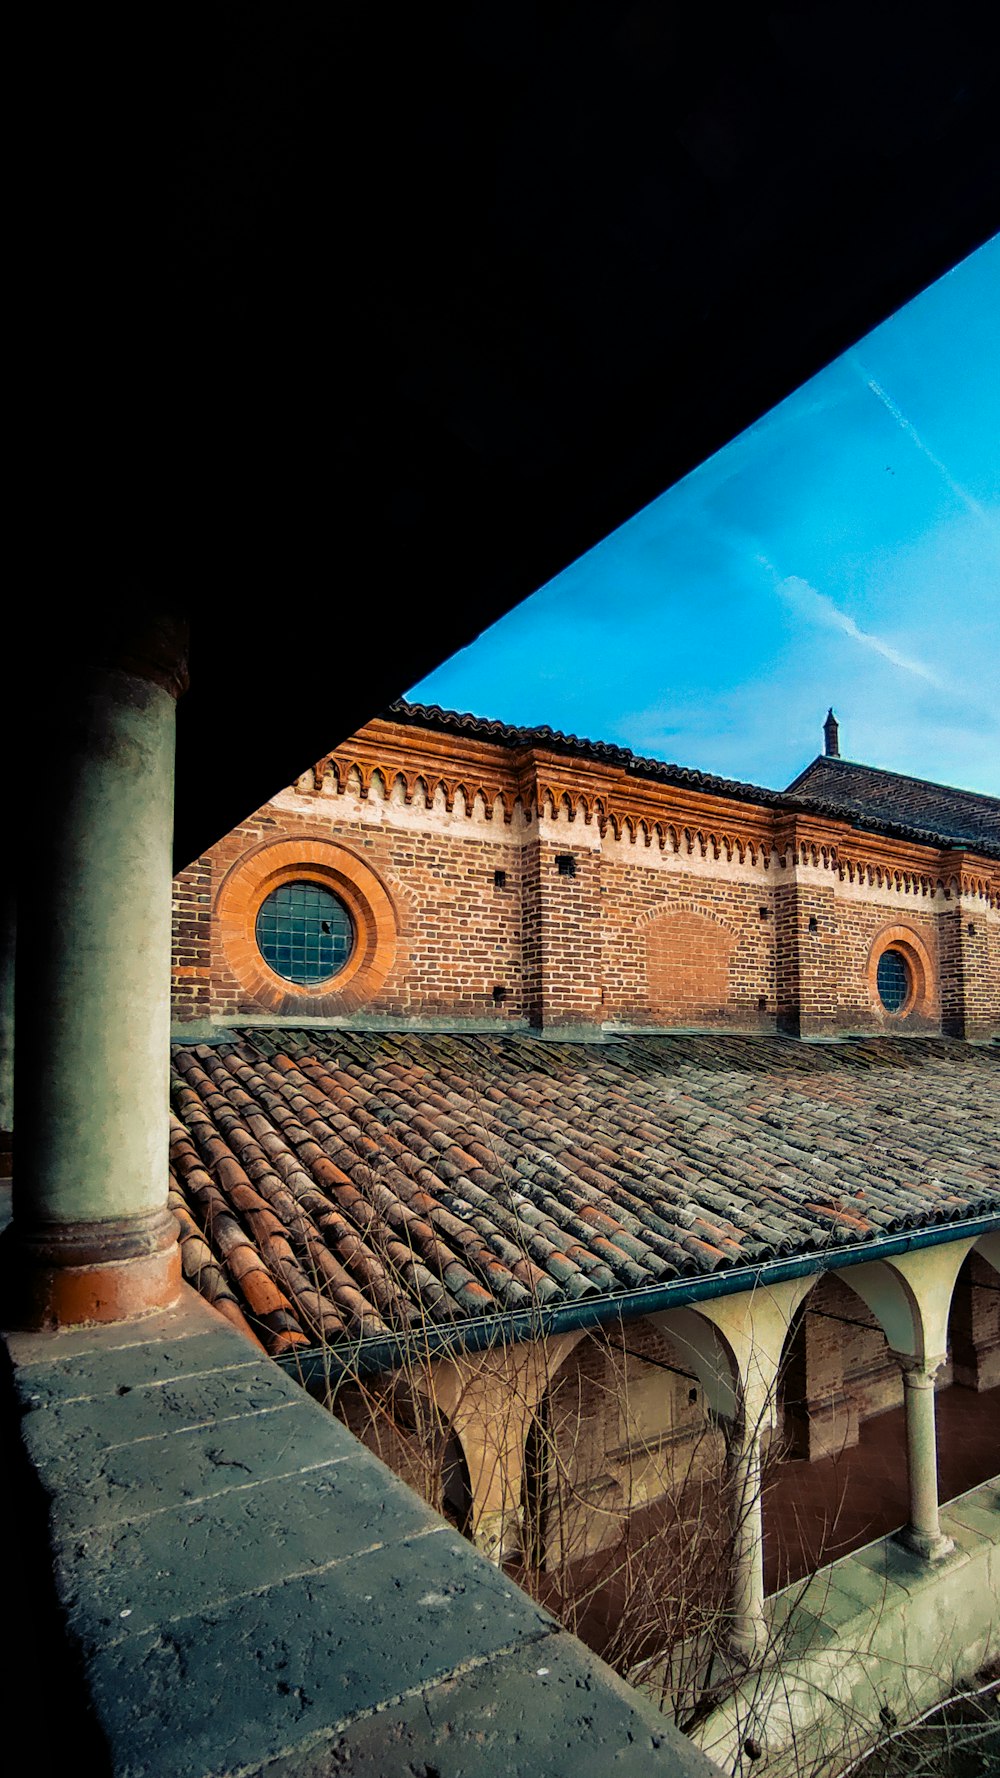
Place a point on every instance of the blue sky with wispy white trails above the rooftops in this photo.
(844, 550)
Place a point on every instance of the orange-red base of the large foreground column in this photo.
(90, 1272)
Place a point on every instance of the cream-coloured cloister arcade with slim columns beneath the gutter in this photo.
(665, 1464)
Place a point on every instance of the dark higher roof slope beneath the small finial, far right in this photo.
(962, 817)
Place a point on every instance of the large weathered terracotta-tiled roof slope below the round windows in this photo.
(359, 1183)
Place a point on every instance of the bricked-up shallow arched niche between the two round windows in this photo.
(688, 966)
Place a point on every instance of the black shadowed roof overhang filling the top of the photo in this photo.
(360, 326)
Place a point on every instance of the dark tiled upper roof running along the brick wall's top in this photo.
(882, 803)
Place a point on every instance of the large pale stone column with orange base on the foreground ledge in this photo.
(92, 1237)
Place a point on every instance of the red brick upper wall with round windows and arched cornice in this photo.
(513, 886)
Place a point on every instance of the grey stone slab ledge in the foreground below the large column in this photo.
(248, 1590)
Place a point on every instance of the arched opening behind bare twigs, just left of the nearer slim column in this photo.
(625, 1518)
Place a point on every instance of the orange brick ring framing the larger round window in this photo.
(366, 897)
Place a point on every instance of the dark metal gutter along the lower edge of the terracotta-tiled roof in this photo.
(378, 1354)
